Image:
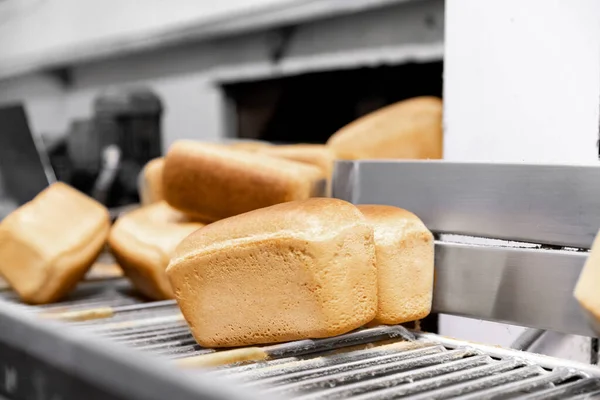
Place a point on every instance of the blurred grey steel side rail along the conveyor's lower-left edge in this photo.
(122, 371)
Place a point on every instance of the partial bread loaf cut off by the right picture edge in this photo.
(586, 289)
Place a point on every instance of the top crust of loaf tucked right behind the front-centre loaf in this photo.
(388, 221)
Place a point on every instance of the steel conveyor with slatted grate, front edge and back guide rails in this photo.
(511, 241)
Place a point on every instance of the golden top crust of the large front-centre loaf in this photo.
(311, 219)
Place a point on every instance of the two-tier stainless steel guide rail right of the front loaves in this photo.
(523, 230)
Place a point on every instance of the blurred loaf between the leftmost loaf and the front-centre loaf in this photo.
(143, 242)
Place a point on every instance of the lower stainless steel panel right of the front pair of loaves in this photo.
(529, 287)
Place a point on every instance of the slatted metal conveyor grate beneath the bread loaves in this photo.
(375, 363)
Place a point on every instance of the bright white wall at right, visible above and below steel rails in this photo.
(522, 83)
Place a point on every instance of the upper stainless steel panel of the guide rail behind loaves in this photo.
(548, 204)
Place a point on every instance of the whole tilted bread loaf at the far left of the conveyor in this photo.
(48, 244)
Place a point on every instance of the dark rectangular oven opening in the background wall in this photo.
(309, 108)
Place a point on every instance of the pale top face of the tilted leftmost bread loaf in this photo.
(59, 207)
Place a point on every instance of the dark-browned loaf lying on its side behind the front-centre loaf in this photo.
(212, 182)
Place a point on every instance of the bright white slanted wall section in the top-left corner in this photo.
(34, 29)
